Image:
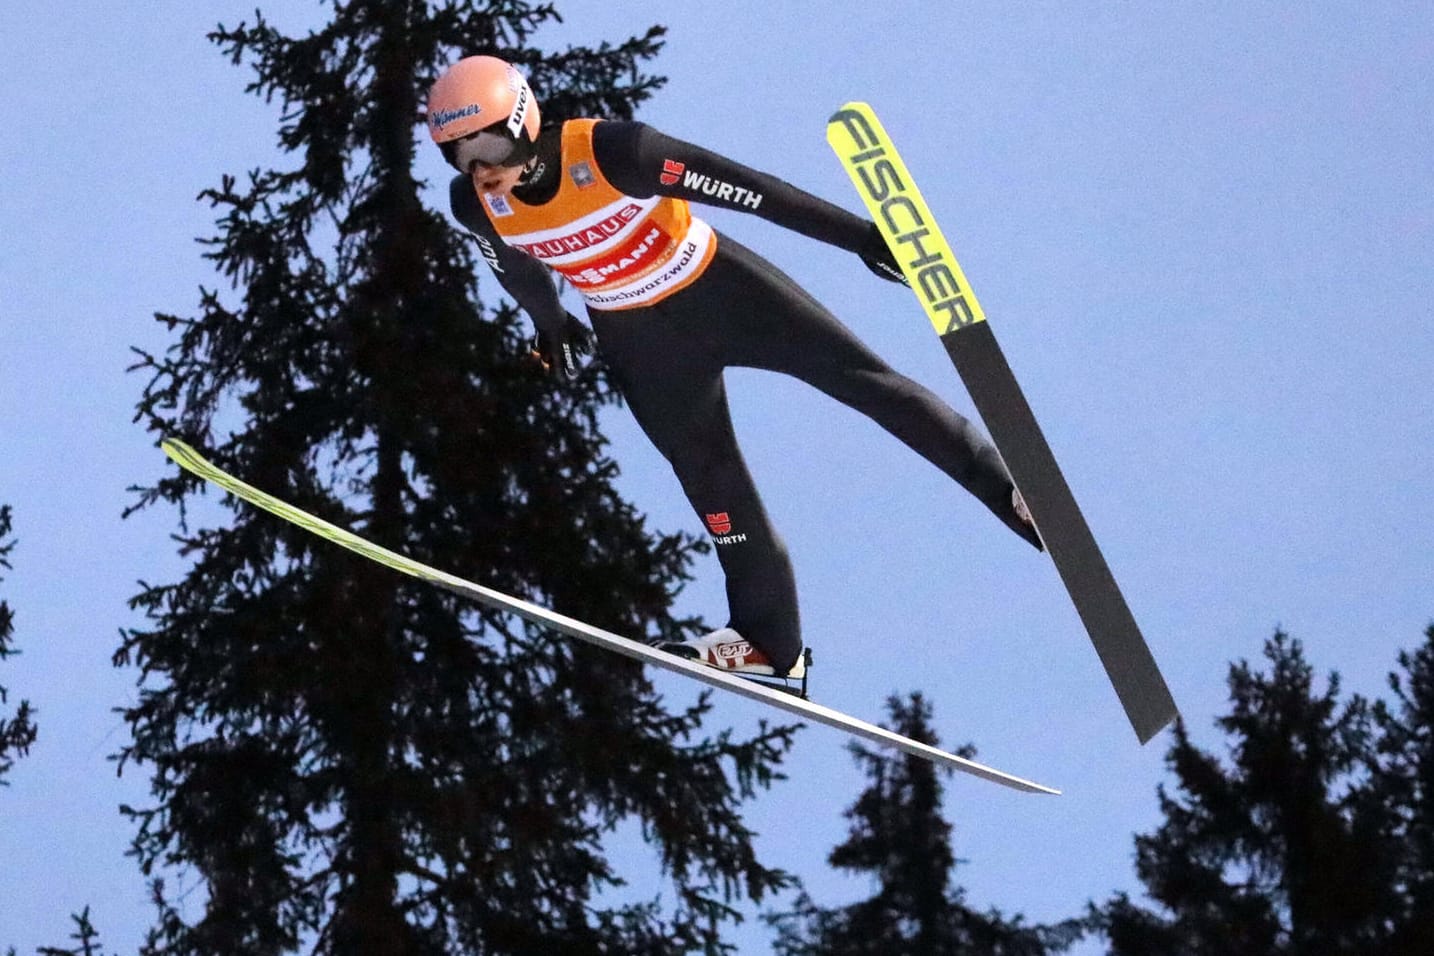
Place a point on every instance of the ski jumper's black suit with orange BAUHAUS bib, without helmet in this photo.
(673, 303)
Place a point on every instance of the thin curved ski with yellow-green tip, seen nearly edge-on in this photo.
(191, 461)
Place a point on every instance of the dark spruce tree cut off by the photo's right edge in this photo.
(1405, 786)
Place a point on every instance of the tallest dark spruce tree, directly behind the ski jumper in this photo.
(345, 760)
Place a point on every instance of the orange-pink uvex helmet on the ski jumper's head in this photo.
(483, 111)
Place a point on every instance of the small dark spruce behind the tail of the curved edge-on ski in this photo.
(903, 841)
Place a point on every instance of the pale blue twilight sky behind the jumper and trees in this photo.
(1204, 234)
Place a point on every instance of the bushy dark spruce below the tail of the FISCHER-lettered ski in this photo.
(1277, 852)
